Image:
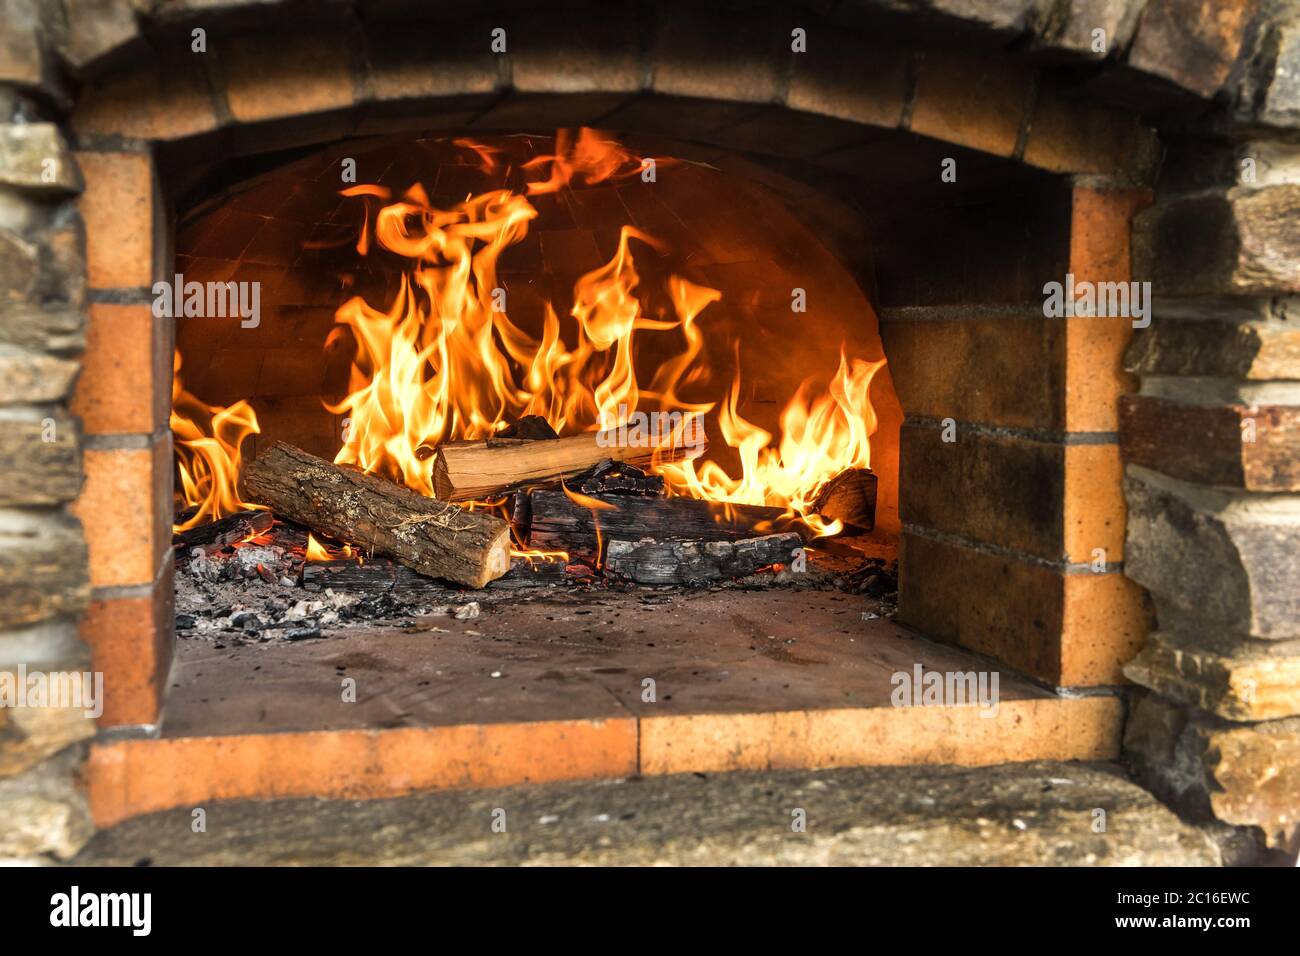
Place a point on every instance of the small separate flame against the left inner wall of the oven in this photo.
(207, 453)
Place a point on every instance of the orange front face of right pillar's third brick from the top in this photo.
(1094, 503)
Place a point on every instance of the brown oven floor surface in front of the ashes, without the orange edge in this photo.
(566, 657)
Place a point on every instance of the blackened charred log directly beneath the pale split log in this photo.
(561, 524)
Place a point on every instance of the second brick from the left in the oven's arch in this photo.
(267, 80)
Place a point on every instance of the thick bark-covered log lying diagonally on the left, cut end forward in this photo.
(434, 538)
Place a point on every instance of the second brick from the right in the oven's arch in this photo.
(974, 102)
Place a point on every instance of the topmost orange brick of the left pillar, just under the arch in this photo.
(119, 210)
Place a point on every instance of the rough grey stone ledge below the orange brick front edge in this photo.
(1013, 815)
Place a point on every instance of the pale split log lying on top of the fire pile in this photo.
(469, 470)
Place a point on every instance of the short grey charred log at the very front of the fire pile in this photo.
(651, 561)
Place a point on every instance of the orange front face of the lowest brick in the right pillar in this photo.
(1104, 625)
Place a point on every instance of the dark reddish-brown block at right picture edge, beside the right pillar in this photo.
(1207, 443)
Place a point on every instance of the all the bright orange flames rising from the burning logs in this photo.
(445, 361)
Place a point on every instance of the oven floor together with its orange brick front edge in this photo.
(553, 687)
